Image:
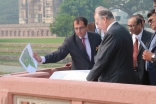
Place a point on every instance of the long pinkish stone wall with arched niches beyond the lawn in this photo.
(26, 30)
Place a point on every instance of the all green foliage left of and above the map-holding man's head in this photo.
(69, 9)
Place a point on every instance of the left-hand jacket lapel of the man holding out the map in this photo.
(81, 49)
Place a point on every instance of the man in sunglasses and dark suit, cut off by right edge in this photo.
(150, 54)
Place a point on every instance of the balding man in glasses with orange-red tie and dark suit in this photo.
(136, 28)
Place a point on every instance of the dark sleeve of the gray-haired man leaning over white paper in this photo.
(105, 54)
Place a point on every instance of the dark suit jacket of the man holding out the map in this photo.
(73, 46)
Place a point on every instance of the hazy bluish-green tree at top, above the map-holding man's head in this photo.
(83, 8)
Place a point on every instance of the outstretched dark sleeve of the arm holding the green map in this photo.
(60, 54)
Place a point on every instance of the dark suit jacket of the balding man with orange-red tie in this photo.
(143, 74)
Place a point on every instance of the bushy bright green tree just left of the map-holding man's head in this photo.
(63, 25)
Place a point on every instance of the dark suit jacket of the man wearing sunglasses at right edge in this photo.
(152, 66)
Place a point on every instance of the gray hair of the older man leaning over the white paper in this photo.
(106, 13)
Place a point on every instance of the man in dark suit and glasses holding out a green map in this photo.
(81, 46)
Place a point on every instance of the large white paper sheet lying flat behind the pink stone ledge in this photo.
(79, 75)
